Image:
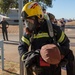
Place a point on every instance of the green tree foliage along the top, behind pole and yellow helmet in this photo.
(6, 4)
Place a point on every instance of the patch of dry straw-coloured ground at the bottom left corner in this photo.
(11, 68)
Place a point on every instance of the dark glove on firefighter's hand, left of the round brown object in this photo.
(30, 58)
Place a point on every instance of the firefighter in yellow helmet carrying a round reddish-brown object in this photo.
(45, 56)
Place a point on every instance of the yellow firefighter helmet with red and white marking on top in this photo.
(32, 9)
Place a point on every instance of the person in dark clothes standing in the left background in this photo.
(4, 27)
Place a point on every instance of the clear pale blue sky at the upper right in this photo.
(63, 8)
